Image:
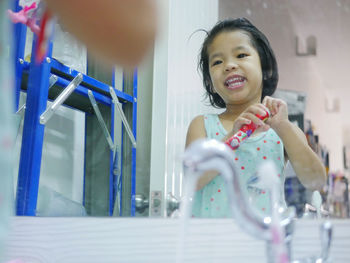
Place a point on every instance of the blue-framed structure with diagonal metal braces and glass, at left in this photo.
(79, 162)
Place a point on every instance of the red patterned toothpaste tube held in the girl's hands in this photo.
(244, 132)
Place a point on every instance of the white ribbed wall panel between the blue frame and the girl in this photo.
(177, 88)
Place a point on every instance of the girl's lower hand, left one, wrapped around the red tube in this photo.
(248, 116)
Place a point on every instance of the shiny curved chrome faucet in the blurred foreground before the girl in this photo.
(204, 155)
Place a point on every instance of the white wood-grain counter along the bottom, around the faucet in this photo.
(49, 240)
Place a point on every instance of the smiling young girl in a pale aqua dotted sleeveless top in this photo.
(240, 74)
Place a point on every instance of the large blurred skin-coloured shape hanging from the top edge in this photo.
(120, 31)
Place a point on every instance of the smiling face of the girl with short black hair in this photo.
(235, 68)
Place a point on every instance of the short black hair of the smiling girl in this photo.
(259, 42)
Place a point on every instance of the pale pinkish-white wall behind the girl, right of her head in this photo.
(323, 77)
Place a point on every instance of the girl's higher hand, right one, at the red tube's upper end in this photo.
(278, 110)
